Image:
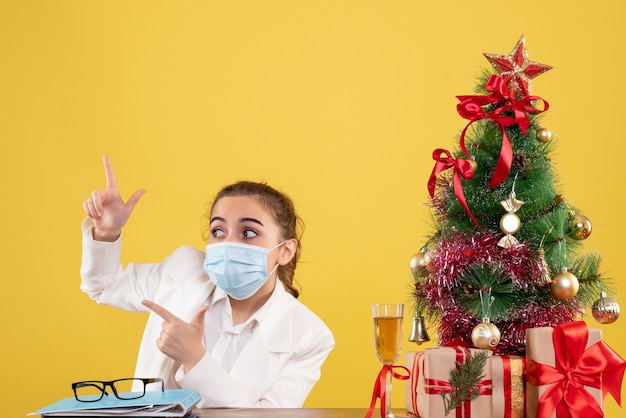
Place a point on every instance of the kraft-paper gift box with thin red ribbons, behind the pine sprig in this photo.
(429, 388)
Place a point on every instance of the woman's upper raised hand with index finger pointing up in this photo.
(107, 209)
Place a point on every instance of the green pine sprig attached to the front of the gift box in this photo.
(464, 379)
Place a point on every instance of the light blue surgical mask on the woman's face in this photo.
(238, 269)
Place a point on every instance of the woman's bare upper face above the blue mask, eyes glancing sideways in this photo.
(245, 220)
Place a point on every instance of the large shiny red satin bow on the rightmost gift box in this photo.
(598, 366)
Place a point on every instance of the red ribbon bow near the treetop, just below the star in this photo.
(471, 107)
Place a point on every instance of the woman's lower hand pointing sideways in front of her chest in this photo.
(180, 340)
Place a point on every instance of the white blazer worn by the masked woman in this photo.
(277, 368)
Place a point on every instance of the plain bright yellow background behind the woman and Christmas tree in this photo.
(338, 102)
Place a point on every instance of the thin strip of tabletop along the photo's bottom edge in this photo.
(304, 412)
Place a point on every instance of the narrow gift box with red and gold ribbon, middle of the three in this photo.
(509, 386)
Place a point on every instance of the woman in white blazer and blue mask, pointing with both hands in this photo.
(225, 322)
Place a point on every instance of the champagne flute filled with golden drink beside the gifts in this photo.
(388, 341)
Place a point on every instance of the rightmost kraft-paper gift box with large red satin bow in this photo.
(569, 369)
